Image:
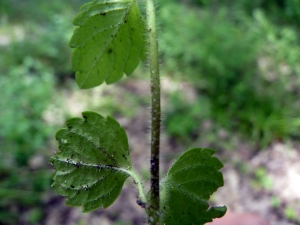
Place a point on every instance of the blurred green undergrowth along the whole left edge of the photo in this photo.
(34, 51)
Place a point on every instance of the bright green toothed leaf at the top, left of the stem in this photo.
(109, 41)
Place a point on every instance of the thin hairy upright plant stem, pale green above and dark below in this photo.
(153, 208)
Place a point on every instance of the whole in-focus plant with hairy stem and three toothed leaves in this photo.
(94, 157)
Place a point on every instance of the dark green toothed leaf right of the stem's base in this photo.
(188, 186)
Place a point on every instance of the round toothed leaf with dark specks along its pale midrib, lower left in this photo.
(93, 161)
